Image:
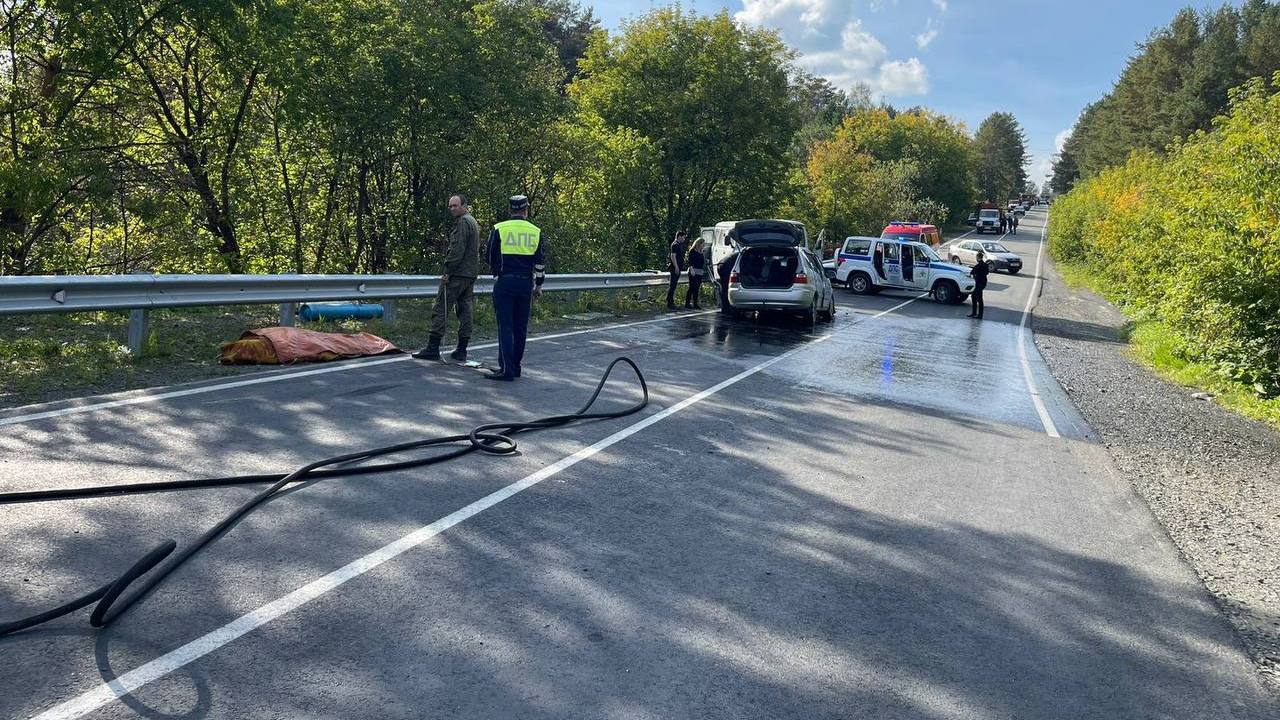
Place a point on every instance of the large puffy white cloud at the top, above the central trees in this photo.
(848, 57)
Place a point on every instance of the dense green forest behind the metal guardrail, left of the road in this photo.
(319, 136)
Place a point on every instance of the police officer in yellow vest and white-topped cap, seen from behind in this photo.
(518, 259)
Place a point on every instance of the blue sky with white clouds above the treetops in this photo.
(1041, 61)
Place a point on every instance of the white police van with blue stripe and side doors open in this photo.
(871, 265)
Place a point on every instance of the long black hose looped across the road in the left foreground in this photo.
(495, 439)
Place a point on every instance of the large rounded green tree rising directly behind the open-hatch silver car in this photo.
(711, 102)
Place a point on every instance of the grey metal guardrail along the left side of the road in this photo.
(141, 293)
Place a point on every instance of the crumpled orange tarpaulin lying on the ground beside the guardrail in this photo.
(281, 347)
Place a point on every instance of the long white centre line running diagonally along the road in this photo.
(176, 659)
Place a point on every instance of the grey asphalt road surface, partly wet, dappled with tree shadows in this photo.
(867, 521)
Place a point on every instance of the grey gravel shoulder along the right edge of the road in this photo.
(1210, 476)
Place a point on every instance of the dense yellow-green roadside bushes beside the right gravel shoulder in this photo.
(1192, 239)
